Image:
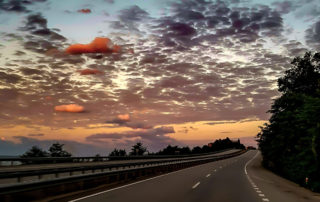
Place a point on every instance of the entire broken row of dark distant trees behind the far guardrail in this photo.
(56, 150)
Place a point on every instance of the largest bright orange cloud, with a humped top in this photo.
(98, 45)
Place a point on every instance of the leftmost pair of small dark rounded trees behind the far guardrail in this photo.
(55, 150)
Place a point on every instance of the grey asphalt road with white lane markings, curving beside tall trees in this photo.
(238, 179)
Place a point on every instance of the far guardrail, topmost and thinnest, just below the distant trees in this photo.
(13, 161)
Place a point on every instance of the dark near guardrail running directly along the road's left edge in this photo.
(53, 187)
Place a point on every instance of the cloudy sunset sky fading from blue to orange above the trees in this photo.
(104, 74)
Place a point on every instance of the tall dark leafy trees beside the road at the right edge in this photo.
(290, 142)
